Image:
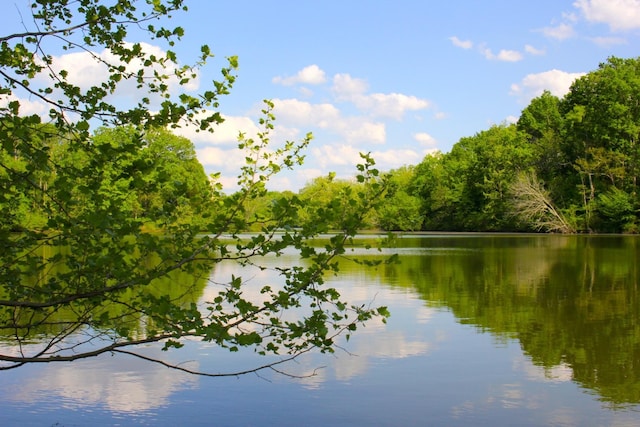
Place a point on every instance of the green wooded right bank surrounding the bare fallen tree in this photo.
(568, 165)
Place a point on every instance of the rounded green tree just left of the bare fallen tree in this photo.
(472, 193)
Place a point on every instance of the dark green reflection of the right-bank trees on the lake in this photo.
(570, 301)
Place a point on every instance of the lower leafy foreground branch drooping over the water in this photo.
(90, 303)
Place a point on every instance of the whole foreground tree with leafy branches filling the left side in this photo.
(90, 266)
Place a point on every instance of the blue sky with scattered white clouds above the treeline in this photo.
(398, 79)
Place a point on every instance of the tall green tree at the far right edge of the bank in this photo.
(602, 131)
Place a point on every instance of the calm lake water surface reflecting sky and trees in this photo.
(485, 330)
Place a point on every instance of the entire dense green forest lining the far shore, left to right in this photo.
(568, 165)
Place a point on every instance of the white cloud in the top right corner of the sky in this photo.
(619, 15)
